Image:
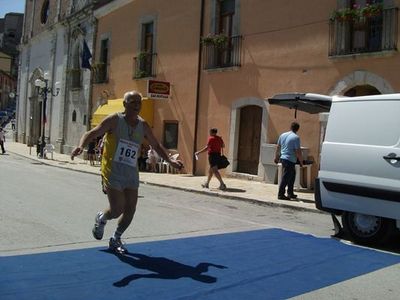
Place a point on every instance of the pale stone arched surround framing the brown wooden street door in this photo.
(235, 127)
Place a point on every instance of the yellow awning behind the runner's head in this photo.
(116, 105)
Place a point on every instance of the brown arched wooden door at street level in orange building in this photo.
(249, 139)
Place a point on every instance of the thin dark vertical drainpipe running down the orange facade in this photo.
(196, 120)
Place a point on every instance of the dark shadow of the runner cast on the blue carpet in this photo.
(163, 268)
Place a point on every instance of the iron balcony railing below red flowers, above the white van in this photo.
(365, 34)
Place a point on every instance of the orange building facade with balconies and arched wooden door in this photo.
(223, 59)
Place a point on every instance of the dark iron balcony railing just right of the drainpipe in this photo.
(224, 55)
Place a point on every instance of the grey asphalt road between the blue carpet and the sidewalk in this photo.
(44, 207)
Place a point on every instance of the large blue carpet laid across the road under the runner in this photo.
(261, 264)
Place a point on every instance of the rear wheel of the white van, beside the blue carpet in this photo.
(366, 229)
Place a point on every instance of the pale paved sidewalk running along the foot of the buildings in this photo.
(240, 189)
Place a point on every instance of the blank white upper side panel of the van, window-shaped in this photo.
(365, 122)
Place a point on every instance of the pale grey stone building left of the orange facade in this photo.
(57, 35)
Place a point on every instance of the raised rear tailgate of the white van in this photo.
(310, 103)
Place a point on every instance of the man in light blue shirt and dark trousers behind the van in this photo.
(288, 153)
